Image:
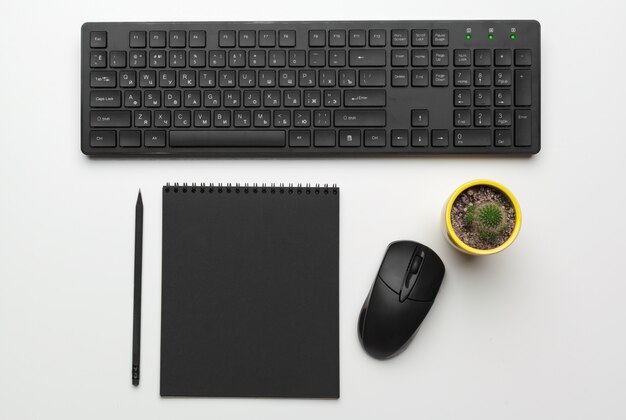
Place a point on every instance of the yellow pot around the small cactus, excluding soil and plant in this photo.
(452, 237)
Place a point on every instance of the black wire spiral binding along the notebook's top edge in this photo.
(250, 188)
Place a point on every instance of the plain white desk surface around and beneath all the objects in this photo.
(534, 332)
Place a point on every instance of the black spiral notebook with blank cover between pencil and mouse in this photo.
(250, 291)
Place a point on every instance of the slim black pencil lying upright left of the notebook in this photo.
(137, 296)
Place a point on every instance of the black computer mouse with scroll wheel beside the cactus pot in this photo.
(404, 290)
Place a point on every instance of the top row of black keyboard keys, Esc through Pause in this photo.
(284, 38)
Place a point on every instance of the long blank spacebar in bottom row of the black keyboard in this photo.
(214, 138)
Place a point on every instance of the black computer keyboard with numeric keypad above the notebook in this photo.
(306, 89)
